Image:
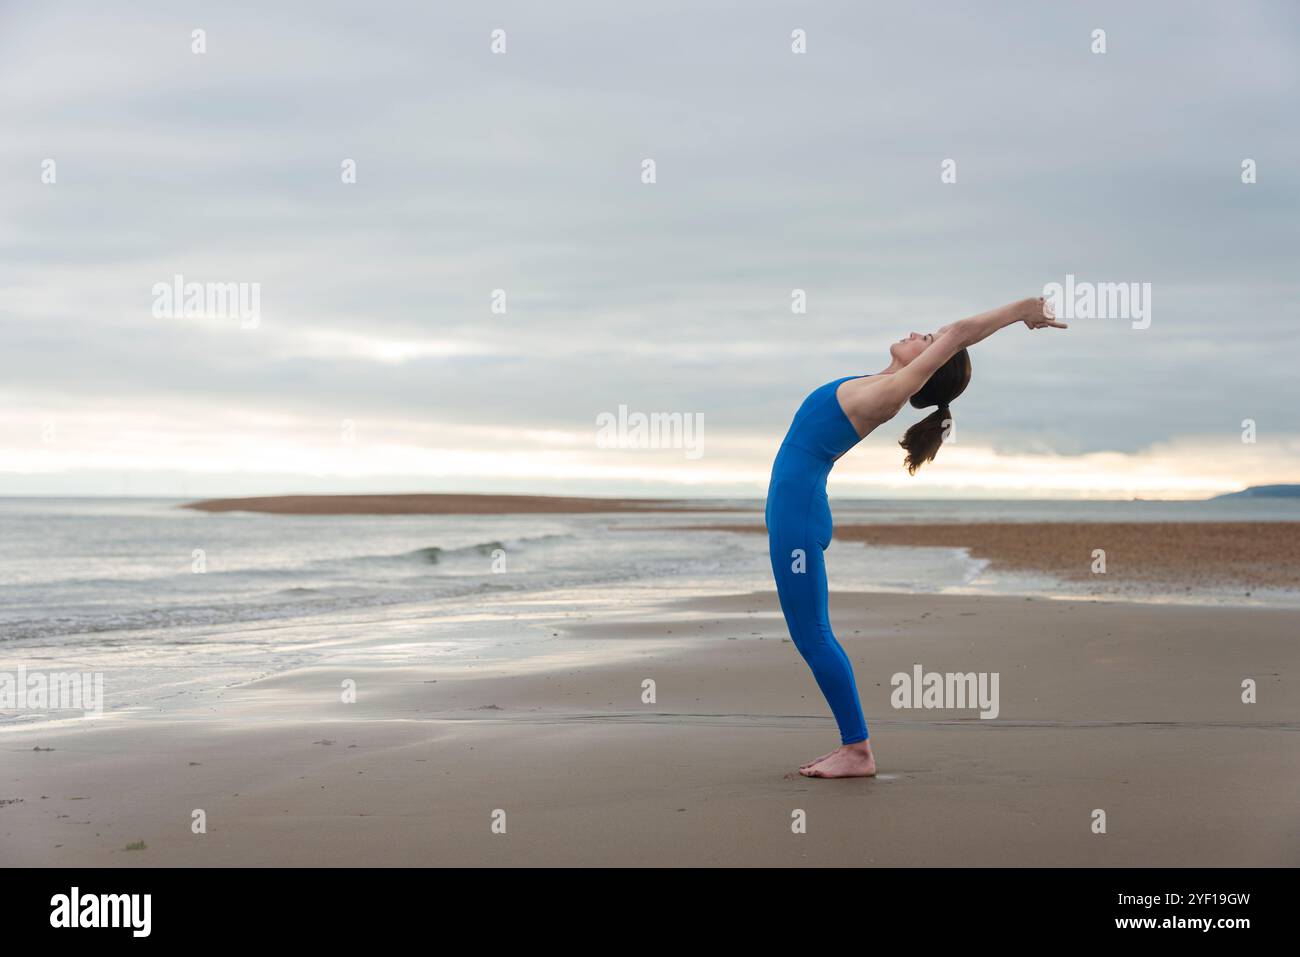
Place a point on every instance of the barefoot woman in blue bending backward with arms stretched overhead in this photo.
(926, 371)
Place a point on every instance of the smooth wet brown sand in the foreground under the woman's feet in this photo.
(1132, 709)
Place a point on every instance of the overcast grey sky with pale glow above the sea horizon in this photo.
(378, 362)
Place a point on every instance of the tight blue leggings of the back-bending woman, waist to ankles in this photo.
(799, 531)
